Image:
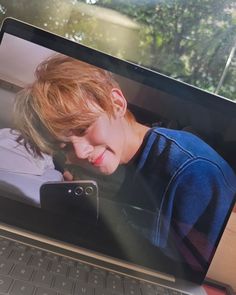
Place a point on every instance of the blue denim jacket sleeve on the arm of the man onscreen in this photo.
(194, 209)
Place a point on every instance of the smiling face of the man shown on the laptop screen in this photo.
(102, 145)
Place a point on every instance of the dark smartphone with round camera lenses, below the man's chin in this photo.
(76, 200)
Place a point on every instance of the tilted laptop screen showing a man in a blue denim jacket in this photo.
(112, 157)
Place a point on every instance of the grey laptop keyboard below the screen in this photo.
(26, 270)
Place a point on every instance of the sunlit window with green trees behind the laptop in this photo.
(191, 40)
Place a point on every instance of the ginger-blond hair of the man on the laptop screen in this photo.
(63, 97)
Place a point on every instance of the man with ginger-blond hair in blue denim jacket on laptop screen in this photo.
(184, 184)
